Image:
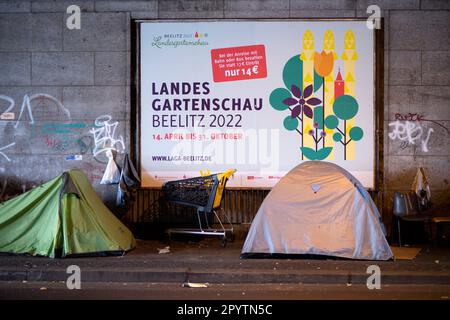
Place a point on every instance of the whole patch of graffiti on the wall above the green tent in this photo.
(41, 122)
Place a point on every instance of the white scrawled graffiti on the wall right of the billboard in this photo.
(409, 129)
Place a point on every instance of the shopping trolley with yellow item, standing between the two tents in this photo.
(204, 193)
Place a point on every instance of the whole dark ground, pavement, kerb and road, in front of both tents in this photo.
(145, 274)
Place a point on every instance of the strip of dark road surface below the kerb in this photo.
(266, 292)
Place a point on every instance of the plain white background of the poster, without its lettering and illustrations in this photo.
(268, 150)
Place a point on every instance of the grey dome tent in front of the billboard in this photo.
(318, 208)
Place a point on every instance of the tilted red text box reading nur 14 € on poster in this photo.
(239, 63)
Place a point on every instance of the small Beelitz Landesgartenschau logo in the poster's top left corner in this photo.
(175, 40)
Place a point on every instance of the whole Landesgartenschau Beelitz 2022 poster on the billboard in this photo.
(260, 97)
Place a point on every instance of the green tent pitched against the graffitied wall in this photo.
(61, 217)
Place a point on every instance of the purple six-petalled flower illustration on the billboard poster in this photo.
(302, 101)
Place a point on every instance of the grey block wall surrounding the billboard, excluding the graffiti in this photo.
(88, 71)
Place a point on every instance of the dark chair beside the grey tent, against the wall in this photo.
(406, 208)
